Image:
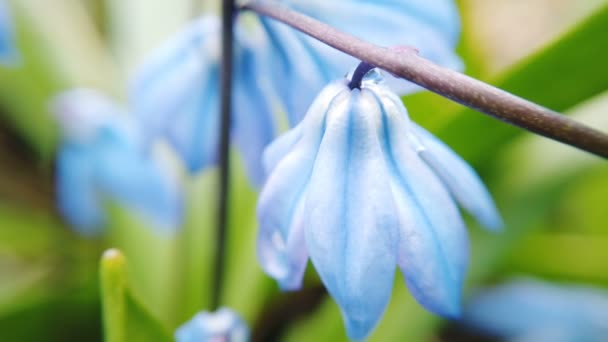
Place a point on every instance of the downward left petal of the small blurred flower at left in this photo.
(76, 194)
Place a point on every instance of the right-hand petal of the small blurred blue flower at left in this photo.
(125, 174)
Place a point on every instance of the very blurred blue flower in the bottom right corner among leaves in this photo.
(530, 310)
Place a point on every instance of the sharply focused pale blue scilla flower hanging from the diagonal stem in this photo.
(360, 190)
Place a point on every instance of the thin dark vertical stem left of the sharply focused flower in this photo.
(228, 10)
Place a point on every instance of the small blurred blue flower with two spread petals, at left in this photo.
(101, 159)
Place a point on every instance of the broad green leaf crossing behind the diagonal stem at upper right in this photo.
(565, 73)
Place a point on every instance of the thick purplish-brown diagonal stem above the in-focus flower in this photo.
(445, 82)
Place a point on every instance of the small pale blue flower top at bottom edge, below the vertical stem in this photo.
(222, 325)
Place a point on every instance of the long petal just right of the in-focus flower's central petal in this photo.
(434, 243)
